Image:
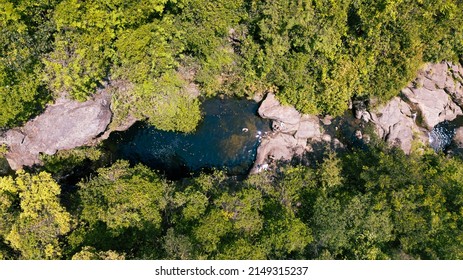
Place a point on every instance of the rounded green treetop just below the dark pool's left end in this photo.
(123, 197)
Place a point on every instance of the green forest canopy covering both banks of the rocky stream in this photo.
(373, 203)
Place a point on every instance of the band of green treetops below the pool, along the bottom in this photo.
(369, 204)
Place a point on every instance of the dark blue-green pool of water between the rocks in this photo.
(219, 141)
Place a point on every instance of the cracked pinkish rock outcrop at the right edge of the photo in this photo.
(436, 95)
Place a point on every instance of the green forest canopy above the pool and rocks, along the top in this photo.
(316, 55)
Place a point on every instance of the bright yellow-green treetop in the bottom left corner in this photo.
(39, 219)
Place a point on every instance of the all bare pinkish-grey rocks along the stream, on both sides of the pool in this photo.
(435, 96)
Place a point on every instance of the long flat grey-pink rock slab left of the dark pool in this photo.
(67, 124)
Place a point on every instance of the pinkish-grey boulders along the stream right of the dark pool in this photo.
(436, 95)
